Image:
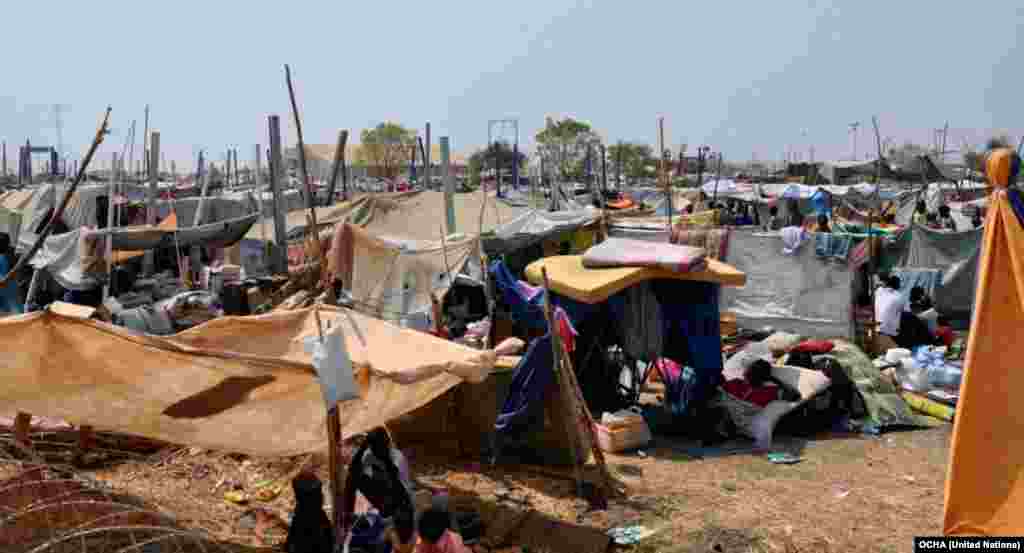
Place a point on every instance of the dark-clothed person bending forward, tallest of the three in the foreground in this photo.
(380, 473)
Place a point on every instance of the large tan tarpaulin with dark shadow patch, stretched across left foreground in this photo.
(239, 385)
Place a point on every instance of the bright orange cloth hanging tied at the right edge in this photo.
(985, 491)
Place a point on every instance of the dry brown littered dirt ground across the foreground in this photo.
(849, 493)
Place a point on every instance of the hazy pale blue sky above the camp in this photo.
(748, 77)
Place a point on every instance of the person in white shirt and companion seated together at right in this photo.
(904, 322)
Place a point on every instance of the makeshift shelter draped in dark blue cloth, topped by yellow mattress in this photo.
(643, 311)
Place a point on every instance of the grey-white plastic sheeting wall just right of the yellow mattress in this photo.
(800, 294)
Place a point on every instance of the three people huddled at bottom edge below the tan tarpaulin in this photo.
(380, 473)
